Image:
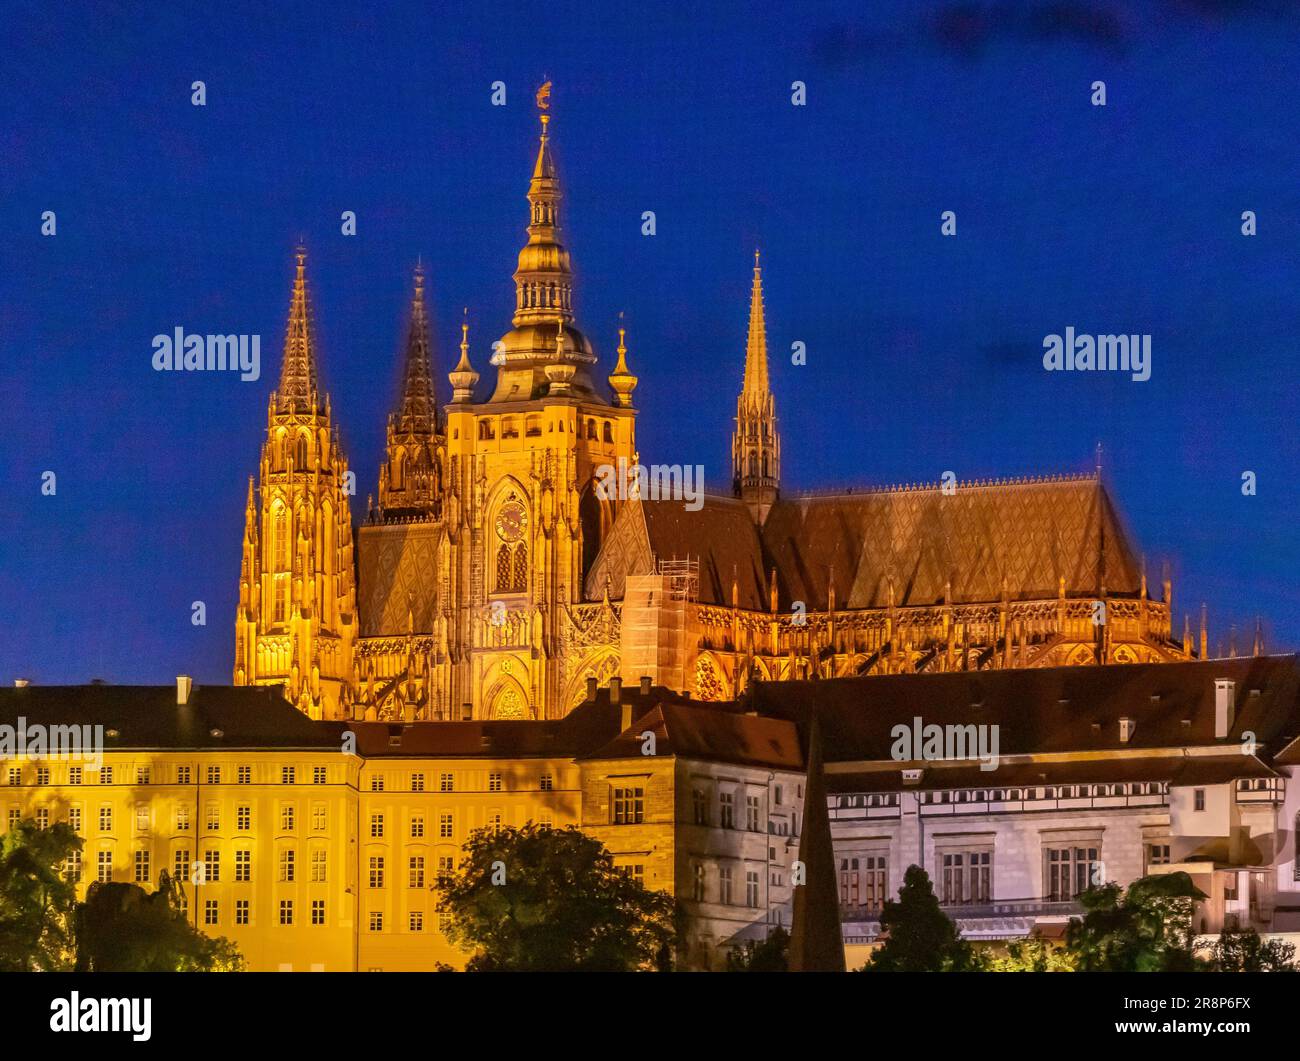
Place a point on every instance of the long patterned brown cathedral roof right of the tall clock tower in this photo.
(1024, 534)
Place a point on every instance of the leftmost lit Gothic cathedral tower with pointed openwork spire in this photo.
(297, 620)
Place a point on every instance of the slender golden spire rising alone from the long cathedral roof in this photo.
(756, 444)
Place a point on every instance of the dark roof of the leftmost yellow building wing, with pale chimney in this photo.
(246, 717)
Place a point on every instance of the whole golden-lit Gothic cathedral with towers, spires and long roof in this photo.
(491, 579)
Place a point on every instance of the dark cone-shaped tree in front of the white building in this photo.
(918, 936)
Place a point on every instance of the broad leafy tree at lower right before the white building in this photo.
(1146, 929)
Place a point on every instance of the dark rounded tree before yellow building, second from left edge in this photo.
(124, 929)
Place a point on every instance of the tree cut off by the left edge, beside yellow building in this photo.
(37, 899)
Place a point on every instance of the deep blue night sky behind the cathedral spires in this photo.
(925, 353)
